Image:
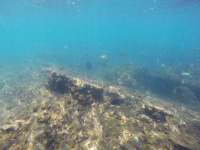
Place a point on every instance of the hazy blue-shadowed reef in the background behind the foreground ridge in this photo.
(166, 81)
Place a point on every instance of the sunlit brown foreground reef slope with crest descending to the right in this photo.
(99, 116)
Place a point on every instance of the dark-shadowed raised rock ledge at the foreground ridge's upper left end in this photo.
(61, 83)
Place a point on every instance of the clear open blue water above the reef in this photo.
(57, 31)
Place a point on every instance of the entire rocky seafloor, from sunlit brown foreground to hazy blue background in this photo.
(41, 107)
